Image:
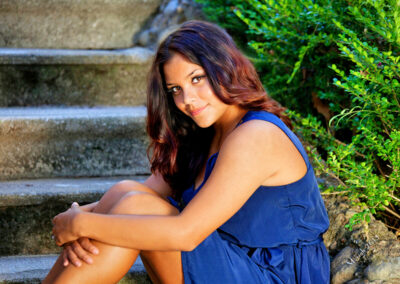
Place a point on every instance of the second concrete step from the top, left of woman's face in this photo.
(33, 77)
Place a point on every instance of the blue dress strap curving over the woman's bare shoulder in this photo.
(272, 118)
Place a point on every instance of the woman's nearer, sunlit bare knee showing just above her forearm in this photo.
(143, 203)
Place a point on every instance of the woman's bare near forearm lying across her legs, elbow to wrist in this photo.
(136, 231)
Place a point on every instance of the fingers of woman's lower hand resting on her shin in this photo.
(77, 251)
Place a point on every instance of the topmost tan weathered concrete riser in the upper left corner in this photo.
(92, 24)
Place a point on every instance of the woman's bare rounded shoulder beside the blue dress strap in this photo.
(264, 148)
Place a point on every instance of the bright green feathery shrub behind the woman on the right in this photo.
(343, 53)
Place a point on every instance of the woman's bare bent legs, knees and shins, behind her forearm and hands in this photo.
(113, 262)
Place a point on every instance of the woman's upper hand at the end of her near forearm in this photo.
(64, 225)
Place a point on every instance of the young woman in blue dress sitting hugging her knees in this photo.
(232, 197)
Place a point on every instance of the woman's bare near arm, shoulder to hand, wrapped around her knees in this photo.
(248, 157)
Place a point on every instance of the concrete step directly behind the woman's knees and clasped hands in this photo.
(28, 206)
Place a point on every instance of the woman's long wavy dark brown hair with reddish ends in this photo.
(178, 147)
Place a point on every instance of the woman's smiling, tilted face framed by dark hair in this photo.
(193, 95)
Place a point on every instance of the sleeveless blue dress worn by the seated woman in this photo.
(275, 237)
